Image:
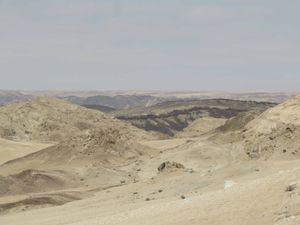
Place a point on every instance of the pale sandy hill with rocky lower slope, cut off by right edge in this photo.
(275, 133)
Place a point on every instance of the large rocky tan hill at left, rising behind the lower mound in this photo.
(50, 119)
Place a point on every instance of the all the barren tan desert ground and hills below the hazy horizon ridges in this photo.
(233, 162)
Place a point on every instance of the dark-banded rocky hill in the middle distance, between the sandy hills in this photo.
(173, 116)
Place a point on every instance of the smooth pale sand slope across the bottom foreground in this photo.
(253, 194)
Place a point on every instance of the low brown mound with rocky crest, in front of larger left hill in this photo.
(94, 148)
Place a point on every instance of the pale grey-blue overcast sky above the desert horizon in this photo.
(199, 45)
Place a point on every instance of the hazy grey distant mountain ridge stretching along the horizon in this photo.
(129, 99)
